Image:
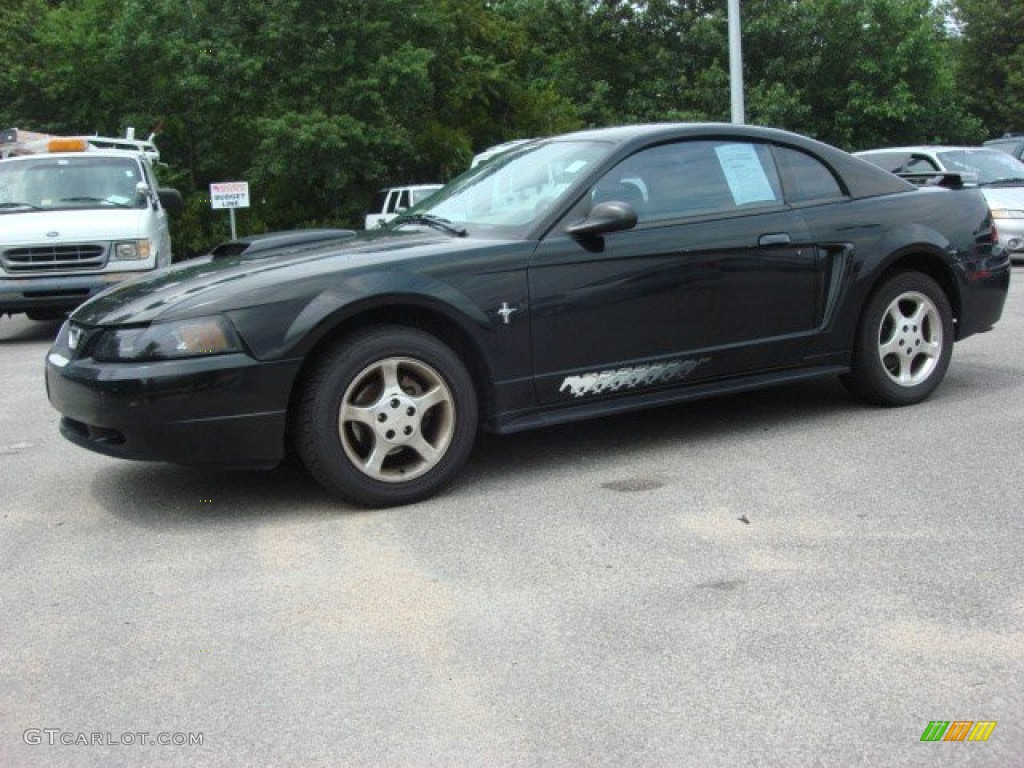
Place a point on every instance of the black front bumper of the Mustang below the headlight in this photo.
(228, 411)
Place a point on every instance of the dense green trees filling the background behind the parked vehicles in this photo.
(318, 105)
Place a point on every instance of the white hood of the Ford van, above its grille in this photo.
(32, 228)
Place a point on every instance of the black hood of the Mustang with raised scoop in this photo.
(220, 284)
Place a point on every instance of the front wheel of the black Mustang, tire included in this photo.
(387, 417)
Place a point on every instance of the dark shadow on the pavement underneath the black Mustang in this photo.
(167, 496)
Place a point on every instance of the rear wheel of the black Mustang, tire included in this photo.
(905, 343)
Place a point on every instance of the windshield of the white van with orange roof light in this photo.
(63, 184)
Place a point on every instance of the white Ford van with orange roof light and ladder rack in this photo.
(77, 216)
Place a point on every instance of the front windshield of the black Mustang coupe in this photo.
(508, 195)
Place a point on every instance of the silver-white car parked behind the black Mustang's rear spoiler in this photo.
(1000, 177)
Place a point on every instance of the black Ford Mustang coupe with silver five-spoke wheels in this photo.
(573, 277)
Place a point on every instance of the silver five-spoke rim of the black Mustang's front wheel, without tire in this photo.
(397, 419)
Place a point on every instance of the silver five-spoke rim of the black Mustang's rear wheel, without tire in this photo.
(911, 339)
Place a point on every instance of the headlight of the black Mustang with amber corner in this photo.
(199, 337)
